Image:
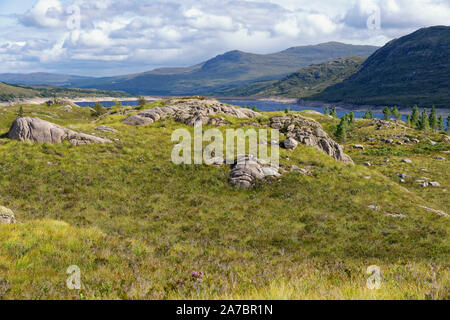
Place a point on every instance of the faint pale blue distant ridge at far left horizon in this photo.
(41, 78)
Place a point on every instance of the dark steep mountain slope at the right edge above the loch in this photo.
(414, 69)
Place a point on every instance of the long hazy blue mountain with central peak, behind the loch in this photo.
(229, 70)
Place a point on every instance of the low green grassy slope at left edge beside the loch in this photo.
(10, 92)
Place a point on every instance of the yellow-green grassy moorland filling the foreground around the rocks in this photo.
(138, 225)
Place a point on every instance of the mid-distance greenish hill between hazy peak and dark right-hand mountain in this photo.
(304, 83)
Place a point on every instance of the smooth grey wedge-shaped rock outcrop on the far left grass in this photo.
(38, 130)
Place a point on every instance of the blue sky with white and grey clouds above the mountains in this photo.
(114, 37)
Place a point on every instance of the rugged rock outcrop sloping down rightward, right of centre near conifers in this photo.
(308, 132)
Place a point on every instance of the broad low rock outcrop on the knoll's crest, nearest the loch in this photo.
(191, 112)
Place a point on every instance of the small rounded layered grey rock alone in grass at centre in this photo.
(247, 170)
